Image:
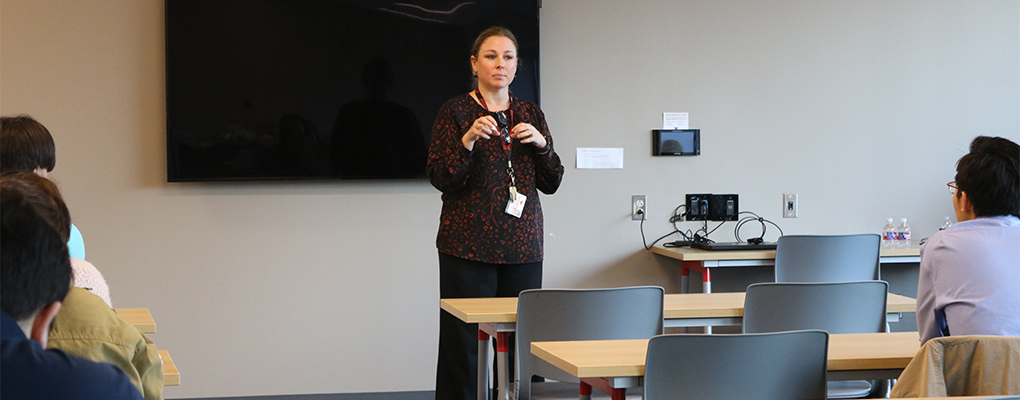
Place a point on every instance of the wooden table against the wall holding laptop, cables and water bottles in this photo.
(705, 261)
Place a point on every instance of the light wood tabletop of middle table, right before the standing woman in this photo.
(676, 307)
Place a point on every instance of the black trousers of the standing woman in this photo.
(457, 370)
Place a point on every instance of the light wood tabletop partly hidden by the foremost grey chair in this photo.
(615, 366)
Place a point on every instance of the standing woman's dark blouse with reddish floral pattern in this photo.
(477, 188)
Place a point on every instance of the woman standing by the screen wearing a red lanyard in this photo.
(491, 154)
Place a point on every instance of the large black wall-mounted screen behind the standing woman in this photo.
(267, 90)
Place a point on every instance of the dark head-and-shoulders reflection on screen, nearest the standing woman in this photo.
(375, 137)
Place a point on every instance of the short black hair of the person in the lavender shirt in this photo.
(991, 176)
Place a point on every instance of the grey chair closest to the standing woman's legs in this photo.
(560, 315)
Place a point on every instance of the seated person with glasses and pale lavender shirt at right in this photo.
(970, 281)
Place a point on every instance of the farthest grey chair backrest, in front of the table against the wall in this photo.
(828, 259)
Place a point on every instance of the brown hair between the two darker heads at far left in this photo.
(43, 195)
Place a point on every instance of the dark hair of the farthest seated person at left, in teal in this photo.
(26, 145)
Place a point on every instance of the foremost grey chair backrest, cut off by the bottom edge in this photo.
(779, 366)
